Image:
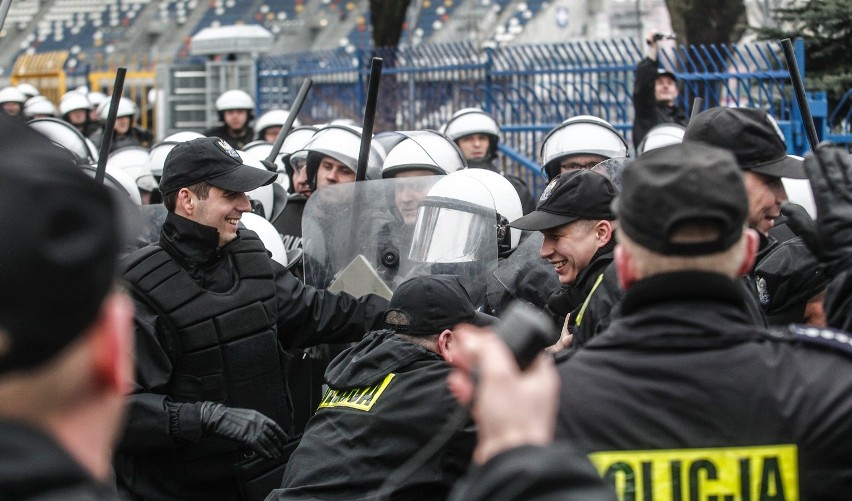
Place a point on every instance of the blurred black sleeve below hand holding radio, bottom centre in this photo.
(554, 472)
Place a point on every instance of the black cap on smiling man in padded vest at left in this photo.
(214, 161)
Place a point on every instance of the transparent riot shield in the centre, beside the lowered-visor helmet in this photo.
(357, 236)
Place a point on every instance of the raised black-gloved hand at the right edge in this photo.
(829, 169)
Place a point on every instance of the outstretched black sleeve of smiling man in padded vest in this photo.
(308, 317)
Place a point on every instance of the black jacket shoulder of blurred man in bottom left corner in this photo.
(34, 467)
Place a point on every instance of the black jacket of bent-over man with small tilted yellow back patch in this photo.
(388, 399)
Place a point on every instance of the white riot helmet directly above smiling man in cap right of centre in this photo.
(580, 135)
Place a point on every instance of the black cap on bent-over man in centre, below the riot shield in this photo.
(426, 305)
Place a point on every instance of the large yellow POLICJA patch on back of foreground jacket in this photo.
(759, 473)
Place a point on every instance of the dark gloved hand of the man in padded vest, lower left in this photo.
(246, 426)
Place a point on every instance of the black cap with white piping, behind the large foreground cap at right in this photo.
(752, 135)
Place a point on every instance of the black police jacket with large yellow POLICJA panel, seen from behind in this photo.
(682, 394)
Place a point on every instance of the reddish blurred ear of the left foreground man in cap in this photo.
(110, 339)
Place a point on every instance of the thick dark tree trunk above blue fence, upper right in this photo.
(707, 21)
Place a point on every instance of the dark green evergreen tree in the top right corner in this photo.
(826, 26)
